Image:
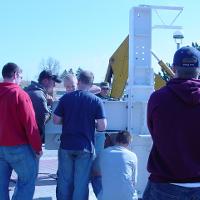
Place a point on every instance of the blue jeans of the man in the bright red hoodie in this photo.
(23, 161)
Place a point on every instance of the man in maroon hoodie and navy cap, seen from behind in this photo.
(173, 121)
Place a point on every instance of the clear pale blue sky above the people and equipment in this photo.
(81, 33)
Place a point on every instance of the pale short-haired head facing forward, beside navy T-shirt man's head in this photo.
(70, 82)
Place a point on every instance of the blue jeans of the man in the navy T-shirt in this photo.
(74, 169)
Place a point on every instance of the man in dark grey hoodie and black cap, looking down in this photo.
(39, 94)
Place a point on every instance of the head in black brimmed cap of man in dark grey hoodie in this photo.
(48, 80)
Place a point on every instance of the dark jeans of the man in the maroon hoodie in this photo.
(166, 191)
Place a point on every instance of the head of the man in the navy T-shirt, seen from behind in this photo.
(85, 80)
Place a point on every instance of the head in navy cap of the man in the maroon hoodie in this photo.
(186, 63)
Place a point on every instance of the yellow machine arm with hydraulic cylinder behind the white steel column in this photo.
(117, 72)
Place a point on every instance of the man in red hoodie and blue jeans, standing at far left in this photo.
(20, 144)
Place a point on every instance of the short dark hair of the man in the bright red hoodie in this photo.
(9, 69)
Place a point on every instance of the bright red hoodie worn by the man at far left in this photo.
(17, 118)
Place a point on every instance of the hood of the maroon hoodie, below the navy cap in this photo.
(188, 90)
